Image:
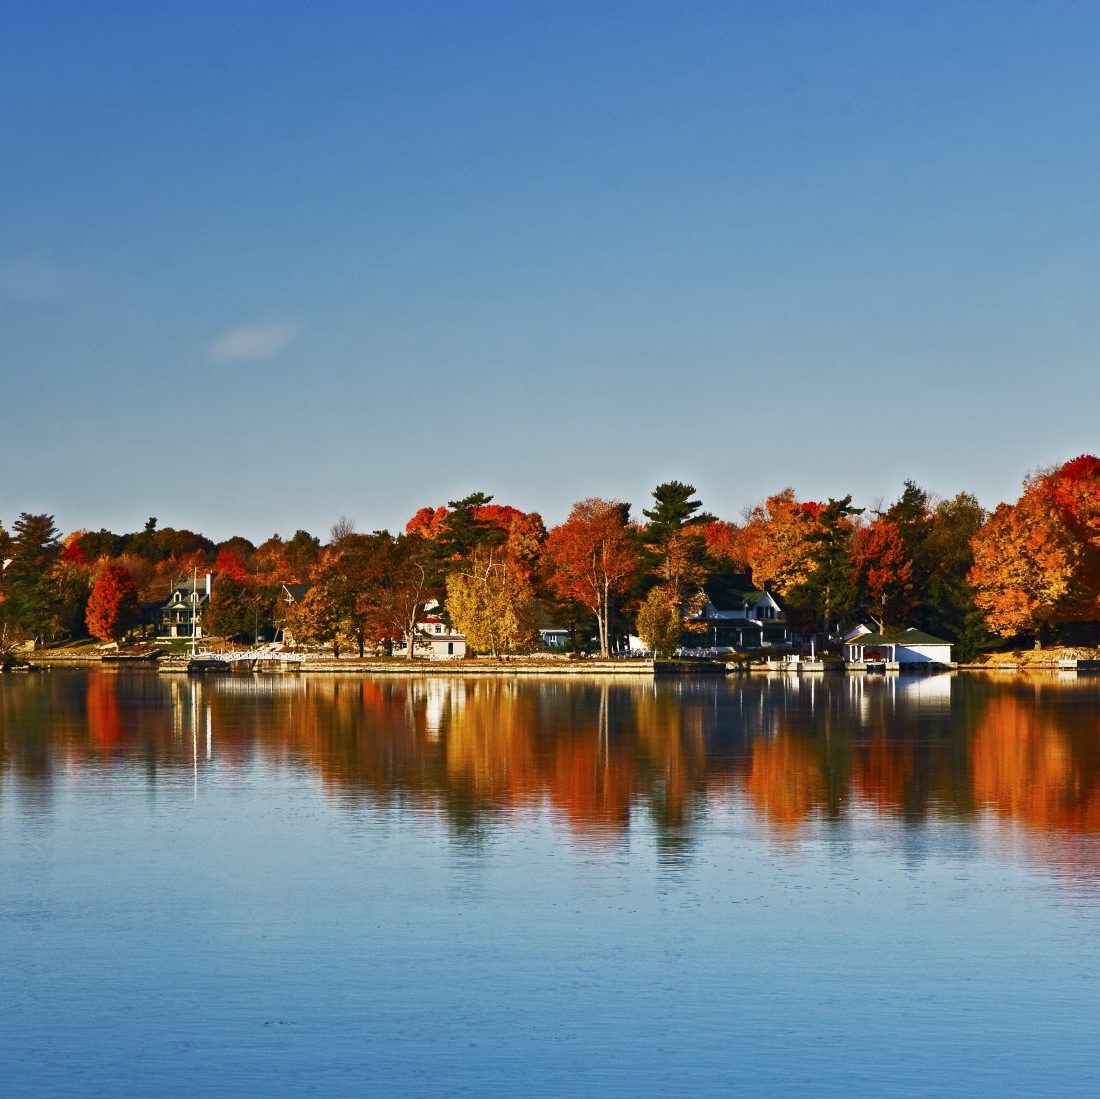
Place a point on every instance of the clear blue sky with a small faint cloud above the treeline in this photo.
(266, 265)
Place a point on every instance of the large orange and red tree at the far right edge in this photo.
(1037, 564)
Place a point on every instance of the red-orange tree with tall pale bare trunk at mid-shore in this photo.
(593, 557)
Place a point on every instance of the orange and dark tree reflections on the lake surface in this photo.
(603, 755)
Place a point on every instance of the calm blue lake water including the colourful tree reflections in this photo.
(334, 886)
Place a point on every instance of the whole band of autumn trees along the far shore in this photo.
(1030, 570)
